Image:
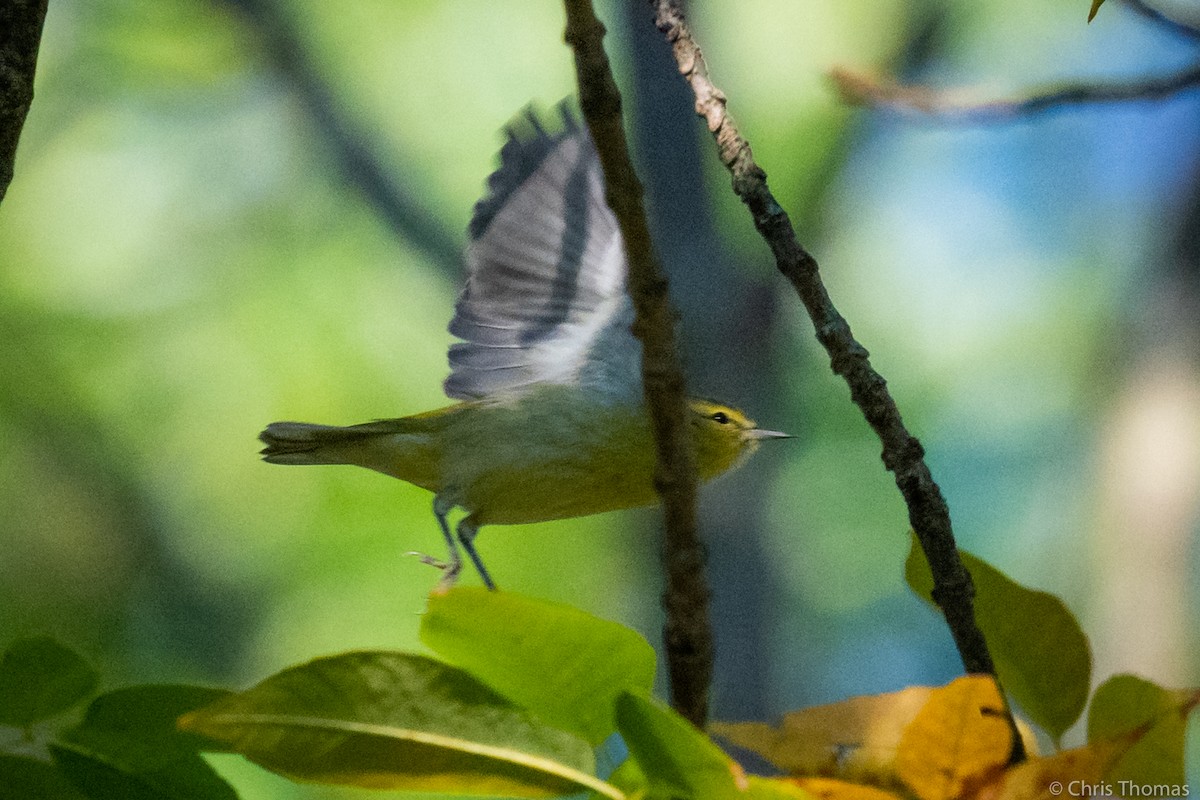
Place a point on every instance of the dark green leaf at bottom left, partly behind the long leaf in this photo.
(129, 747)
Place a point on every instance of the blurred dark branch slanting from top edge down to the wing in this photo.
(352, 146)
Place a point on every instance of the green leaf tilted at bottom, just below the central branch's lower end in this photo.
(677, 760)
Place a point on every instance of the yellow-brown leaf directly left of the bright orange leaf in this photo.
(855, 739)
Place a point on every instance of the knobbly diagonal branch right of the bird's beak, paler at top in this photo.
(903, 455)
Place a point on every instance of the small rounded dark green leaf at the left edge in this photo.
(40, 678)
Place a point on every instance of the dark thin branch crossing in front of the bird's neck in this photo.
(688, 634)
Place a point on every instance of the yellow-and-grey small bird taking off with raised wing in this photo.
(551, 422)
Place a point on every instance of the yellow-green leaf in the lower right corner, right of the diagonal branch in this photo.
(1156, 719)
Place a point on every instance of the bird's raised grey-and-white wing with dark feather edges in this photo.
(545, 299)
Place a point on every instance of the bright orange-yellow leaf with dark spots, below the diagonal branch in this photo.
(958, 742)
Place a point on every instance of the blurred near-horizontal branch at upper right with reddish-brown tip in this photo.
(956, 106)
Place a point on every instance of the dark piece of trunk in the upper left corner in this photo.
(21, 35)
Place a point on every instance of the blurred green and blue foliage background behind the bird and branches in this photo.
(184, 260)
